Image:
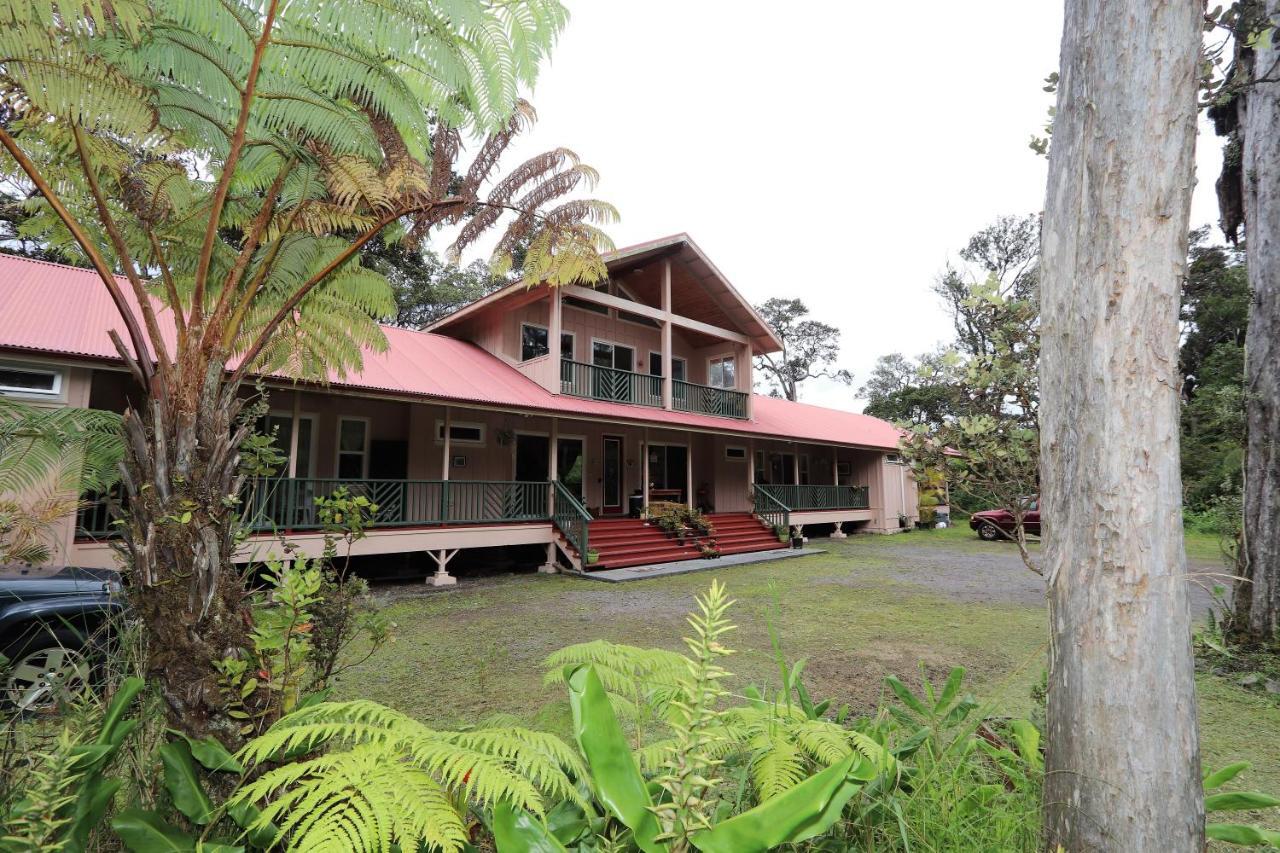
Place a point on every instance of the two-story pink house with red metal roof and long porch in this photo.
(536, 416)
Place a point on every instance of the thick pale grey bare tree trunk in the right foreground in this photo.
(1123, 765)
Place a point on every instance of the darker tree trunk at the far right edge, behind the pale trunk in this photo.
(1258, 595)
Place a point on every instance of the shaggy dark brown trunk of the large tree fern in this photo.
(182, 482)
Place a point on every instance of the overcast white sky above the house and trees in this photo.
(815, 149)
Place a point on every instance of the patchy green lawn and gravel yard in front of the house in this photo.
(870, 608)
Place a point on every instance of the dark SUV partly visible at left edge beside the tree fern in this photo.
(52, 624)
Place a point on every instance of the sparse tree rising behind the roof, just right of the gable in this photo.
(810, 349)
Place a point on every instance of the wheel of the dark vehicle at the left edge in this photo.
(45, 670)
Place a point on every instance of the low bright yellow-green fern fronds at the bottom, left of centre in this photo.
(382, 778)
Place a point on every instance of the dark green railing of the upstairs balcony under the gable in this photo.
(593, 382)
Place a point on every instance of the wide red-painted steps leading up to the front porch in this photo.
(632, 542)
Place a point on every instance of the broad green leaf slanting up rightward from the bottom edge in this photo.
(806, 811)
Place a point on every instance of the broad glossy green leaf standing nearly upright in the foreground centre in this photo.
(615, 774)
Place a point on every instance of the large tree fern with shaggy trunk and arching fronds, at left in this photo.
(232, 161)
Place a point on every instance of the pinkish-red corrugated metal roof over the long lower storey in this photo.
(63, 311)
